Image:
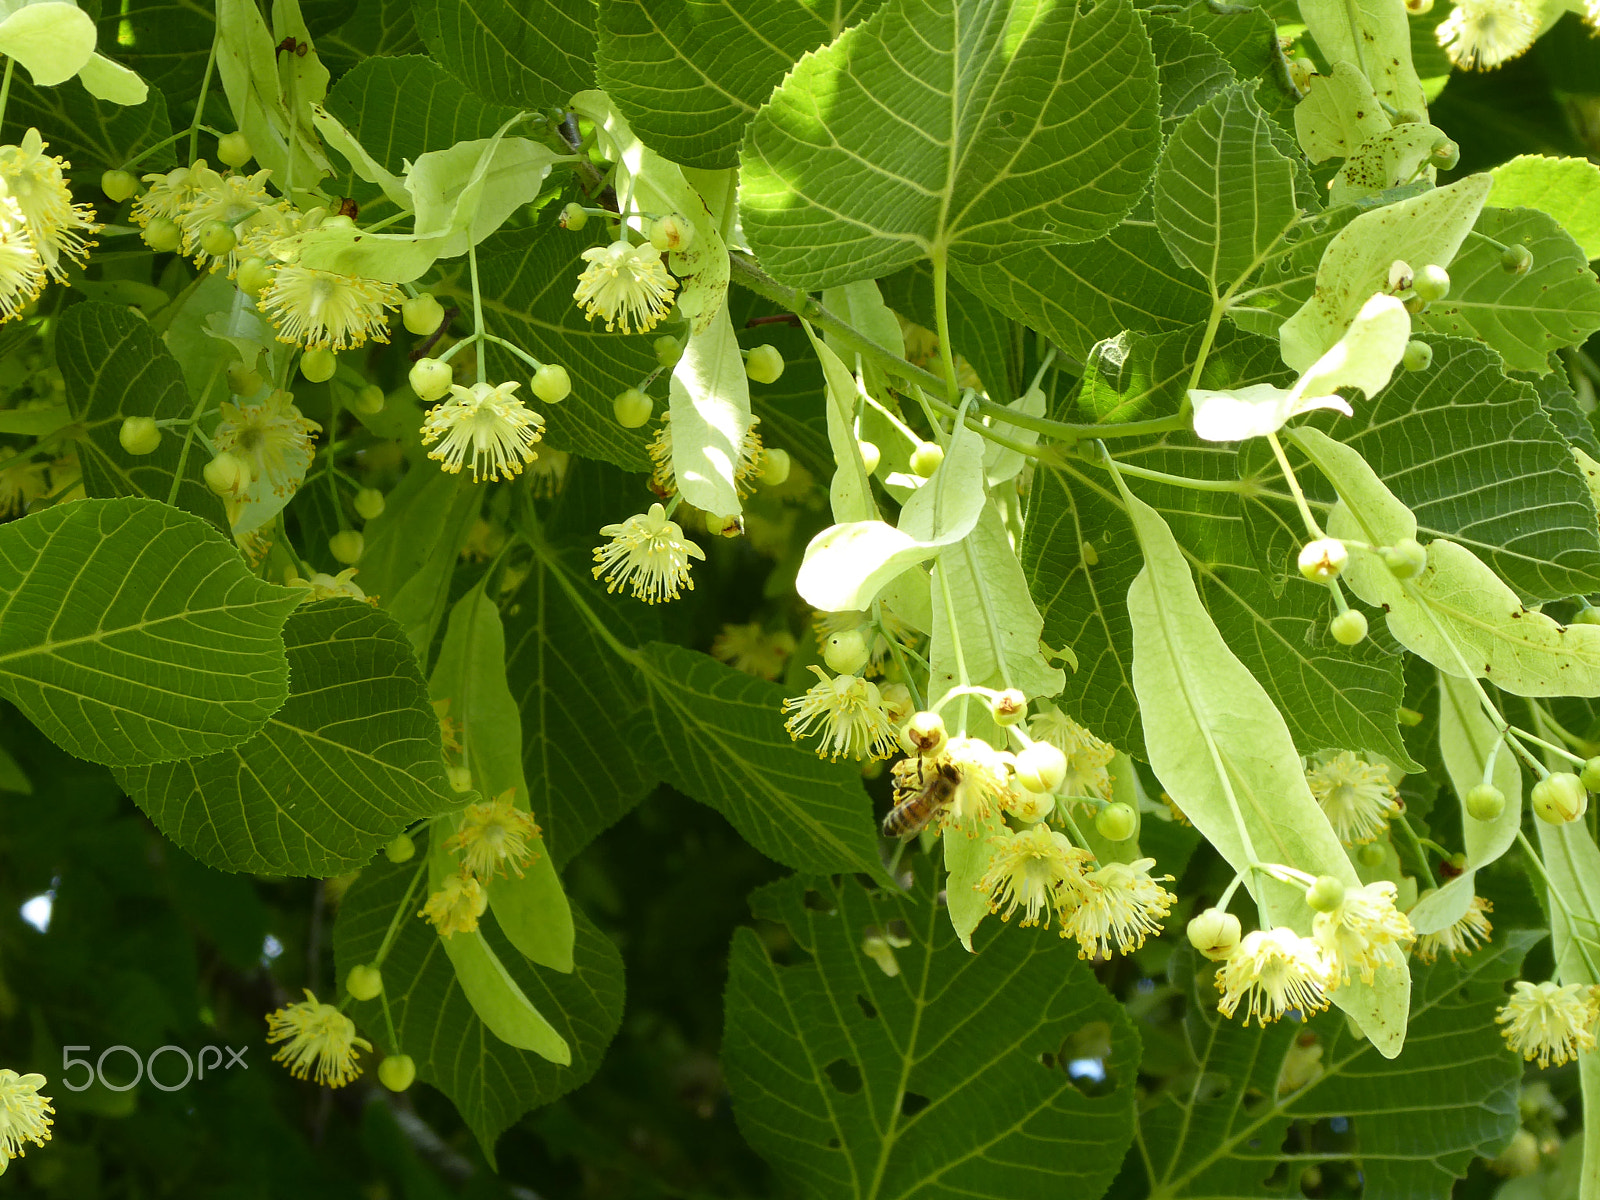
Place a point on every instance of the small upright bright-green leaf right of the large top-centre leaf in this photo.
(1223, 193)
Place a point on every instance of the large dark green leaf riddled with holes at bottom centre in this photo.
(825, 1058)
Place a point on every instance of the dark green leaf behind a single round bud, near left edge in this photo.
(114, 369)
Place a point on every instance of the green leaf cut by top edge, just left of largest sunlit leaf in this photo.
(690, 74)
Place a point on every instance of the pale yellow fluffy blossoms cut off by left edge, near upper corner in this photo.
(41, 228)
